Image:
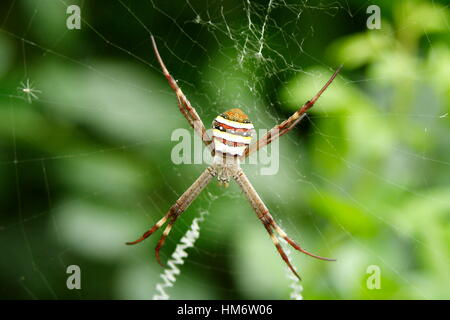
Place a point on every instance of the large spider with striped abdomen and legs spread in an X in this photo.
(230, 143)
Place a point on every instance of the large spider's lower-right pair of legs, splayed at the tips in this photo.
(269, 223)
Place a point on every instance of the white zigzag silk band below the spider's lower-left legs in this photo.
(169, 275)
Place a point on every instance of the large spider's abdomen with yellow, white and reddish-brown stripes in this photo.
(232, 133)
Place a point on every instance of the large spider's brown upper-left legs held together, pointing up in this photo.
(185, 106)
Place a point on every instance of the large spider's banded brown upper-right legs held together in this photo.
(289, 123)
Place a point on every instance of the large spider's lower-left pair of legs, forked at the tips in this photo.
(177, 209)
